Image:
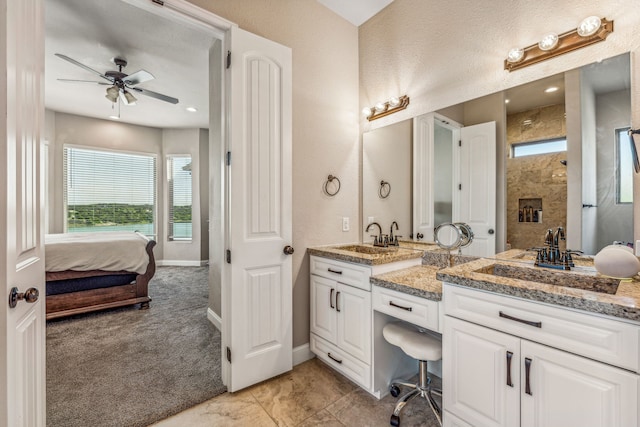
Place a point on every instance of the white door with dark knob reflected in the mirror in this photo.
(477, 205)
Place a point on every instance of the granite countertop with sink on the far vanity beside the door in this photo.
(378, 256)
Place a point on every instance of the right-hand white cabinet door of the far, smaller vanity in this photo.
(353, 307)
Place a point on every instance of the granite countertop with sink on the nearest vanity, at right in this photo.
(624, 303)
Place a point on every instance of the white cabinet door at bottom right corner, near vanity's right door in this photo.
(571, 391)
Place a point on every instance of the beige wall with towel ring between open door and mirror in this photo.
(325, 124)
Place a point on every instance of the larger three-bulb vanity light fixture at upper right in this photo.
(590, 30)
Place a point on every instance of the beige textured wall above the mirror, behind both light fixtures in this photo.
(442, 56)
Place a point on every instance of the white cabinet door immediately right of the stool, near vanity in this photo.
(481, 374)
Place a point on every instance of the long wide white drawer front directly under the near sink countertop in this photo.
(602, 339)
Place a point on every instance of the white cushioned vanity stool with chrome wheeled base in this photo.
(422, 347)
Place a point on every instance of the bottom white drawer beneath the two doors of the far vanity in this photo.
(341, 361)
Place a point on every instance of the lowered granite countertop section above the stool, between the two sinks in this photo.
(419, 281)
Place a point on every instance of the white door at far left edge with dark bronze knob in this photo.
(22, 337)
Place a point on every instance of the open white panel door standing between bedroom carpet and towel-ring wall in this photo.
(259, 321)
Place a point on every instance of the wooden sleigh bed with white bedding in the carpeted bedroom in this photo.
(94, 271)
